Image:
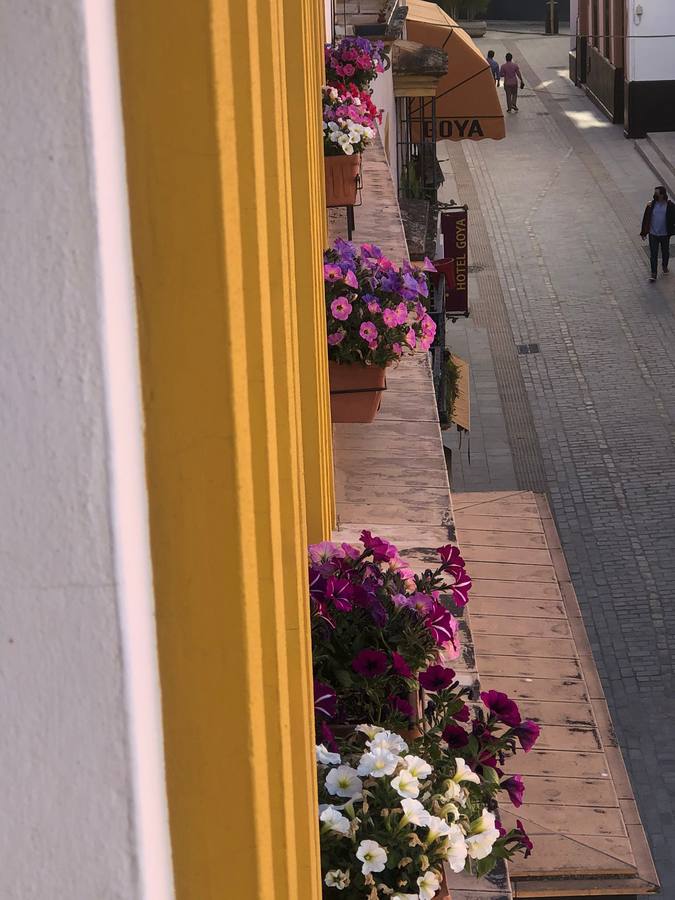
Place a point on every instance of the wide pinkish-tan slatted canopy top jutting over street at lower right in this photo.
(578, 803)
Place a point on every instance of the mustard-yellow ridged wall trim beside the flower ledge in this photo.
(225, 181)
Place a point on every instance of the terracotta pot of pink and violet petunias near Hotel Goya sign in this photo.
(376, 314)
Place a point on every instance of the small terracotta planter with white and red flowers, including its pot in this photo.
(349, 118)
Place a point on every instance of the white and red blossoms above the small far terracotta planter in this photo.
(349, 117)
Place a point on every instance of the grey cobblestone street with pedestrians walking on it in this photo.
(559, 202)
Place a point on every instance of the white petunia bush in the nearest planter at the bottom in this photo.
(390, 819)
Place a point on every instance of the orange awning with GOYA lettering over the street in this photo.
(467, 103)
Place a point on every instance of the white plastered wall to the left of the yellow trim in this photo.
(72, 659)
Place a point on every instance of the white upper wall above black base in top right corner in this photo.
(651, 58)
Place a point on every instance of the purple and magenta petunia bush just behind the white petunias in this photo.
(374, 624)
